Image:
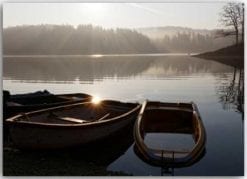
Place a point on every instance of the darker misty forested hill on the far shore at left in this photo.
(65, 39)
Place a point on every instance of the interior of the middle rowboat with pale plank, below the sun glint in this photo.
(76, 114)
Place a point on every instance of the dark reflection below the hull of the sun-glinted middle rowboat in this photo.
(104, 152)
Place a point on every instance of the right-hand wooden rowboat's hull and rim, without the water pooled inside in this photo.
(169, 118)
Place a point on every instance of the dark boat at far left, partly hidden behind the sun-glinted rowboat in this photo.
(14, 104)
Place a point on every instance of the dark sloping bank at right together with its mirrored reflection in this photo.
(231, 55)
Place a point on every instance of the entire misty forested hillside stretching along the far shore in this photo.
(88, 39)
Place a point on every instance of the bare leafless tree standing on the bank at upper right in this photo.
(233, 15)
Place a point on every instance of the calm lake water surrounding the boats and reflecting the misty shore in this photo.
(216, 88)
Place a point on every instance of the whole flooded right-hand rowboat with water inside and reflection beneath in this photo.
(171, 122)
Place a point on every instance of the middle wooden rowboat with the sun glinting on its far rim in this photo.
(70, 125)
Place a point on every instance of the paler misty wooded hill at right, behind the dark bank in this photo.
(185, 40)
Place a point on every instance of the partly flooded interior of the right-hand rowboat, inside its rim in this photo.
(170, 122)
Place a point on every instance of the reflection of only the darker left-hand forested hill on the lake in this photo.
(85, 69)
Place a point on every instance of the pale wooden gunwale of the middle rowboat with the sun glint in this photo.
(13, 121)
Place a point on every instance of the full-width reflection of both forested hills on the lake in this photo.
(88, 70)
